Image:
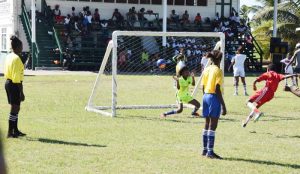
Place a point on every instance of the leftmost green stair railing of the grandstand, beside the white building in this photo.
(34, 47)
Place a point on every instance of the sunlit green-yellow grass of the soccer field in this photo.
(64, 138)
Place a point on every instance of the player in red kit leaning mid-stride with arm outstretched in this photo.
(266, 93)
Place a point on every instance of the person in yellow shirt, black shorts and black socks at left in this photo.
(14, 73)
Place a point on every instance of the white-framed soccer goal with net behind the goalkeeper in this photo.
(130, 78)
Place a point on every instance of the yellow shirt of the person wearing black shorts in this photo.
(14, 68)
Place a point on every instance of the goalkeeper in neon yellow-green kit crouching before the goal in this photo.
(183, 80)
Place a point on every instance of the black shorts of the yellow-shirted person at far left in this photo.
(13, 93)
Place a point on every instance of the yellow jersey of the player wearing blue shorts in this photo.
(212, 76)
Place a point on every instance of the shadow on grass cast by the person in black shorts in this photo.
(52, 141)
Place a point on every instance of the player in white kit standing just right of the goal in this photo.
(238, 70)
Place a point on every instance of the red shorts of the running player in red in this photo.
(261, 97)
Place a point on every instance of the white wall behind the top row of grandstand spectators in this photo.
(106, 9)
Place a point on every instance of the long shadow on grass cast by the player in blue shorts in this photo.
(269, 163)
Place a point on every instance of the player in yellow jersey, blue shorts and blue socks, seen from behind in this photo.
(212, 82)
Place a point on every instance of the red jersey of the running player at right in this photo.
(272, 80)
